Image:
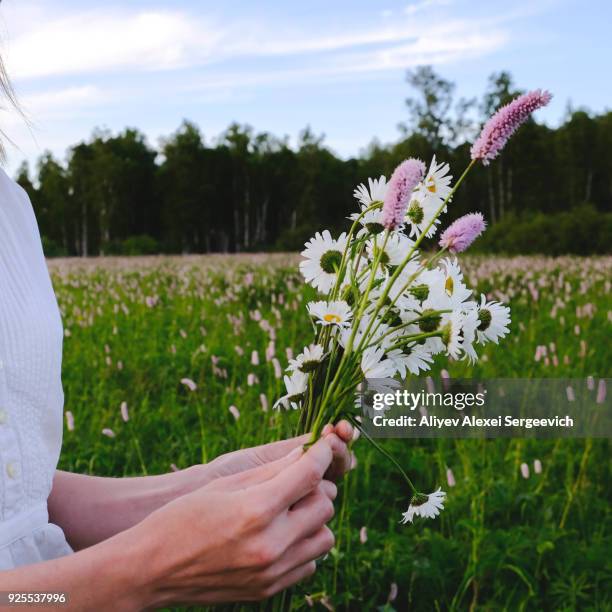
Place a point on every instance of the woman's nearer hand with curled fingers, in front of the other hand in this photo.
(242, 537)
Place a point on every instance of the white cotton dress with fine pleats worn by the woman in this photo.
(31, 395)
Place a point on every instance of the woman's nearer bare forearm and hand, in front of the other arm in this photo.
(240, 538)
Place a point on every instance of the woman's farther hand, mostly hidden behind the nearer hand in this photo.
(238, 461)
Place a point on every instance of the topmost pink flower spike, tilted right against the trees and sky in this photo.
(498, 129)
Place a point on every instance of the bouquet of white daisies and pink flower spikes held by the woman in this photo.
(386, 309)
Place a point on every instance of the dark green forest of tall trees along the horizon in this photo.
(549, 192)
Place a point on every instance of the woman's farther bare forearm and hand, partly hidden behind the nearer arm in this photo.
(91, 509)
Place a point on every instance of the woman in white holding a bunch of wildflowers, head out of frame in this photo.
(240, 528)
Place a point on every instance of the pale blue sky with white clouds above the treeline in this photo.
(338, 66)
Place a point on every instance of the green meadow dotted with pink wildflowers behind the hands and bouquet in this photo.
(172, 361)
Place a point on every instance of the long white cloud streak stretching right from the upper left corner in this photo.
(43, 44)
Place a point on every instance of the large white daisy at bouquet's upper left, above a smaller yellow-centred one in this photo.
(323, 256)
